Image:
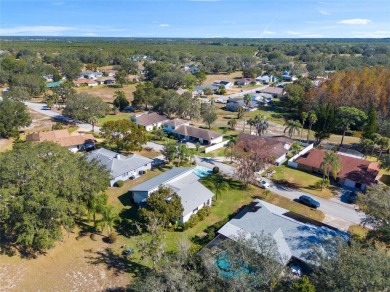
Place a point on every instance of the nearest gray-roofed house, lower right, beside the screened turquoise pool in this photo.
(293, 234)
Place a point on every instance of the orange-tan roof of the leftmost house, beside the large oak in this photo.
(61, 137)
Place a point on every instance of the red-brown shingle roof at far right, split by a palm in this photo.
(357, 170)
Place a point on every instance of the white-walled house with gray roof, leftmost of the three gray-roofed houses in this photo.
(121, 167)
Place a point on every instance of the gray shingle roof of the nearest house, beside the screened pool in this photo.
(293, 238)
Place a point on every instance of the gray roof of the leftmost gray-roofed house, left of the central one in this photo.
(118, 164)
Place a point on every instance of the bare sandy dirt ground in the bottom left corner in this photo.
(73, 265)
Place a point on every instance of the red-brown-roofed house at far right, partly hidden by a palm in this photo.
(355, 172)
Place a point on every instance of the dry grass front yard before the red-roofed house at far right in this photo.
(301, 180)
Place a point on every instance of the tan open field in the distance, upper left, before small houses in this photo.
(107, 93)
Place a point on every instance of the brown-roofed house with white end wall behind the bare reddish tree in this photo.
(277, 147)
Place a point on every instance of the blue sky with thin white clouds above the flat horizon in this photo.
(197, 18)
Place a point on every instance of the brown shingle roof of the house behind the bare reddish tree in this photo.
(273, 146)
